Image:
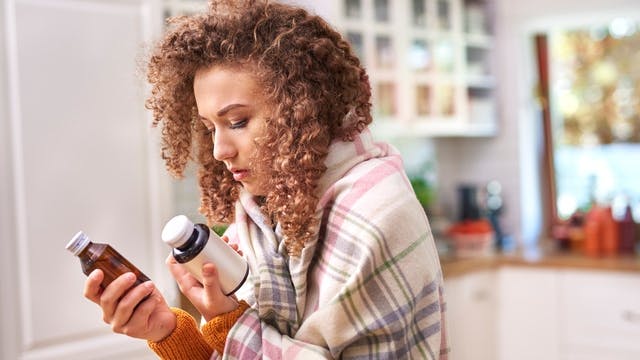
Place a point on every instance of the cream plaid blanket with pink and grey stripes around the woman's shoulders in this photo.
(369, 285)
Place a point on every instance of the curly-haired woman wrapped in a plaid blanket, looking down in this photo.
(275, 106)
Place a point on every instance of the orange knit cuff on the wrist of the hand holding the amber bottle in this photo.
(185, 342)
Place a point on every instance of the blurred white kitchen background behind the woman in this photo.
(519, 124)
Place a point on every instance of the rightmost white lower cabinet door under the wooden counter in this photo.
(602, 315)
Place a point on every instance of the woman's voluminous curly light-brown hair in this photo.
(309, 75)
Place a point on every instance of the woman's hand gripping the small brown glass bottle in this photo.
(140, 312)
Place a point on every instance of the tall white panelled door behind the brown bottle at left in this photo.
(80, 159)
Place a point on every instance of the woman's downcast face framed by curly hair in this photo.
(231, 106)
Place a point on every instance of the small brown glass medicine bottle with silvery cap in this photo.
(102, 256)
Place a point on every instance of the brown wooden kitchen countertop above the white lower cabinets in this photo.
(452, 266)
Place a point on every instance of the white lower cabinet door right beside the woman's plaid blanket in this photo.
(471, 316)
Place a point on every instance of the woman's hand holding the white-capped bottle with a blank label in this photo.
(208, 298)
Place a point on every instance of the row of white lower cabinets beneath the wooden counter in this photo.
(551, 313)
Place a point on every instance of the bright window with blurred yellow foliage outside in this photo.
(593, 122)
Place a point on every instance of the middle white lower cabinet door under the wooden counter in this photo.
(528, 321)
